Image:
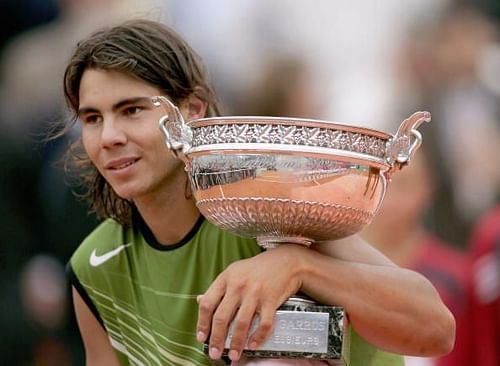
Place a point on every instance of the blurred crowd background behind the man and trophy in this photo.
(352, 61)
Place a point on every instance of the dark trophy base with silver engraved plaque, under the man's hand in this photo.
(302, 329)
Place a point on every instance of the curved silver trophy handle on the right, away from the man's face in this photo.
(406, 141)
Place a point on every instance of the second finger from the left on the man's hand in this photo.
(220, 323)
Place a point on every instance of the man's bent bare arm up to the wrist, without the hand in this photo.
(393, 308)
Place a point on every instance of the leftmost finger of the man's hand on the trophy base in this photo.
(207, 304)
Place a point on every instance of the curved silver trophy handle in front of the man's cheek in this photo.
(178, 135)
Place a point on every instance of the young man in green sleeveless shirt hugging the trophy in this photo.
(138, 278)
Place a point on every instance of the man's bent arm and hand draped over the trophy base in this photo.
(393, 308)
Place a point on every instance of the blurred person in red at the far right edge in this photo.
(484, 248)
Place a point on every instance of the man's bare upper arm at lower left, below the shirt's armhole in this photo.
(98, 350)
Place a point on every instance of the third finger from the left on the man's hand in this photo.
(240, 328)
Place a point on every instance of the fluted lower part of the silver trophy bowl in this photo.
(273, 217)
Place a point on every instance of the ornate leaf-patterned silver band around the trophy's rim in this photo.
(291, 136)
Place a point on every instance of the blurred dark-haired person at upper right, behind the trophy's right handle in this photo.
(441, 70)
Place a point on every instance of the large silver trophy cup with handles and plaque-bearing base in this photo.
(289, 180)
